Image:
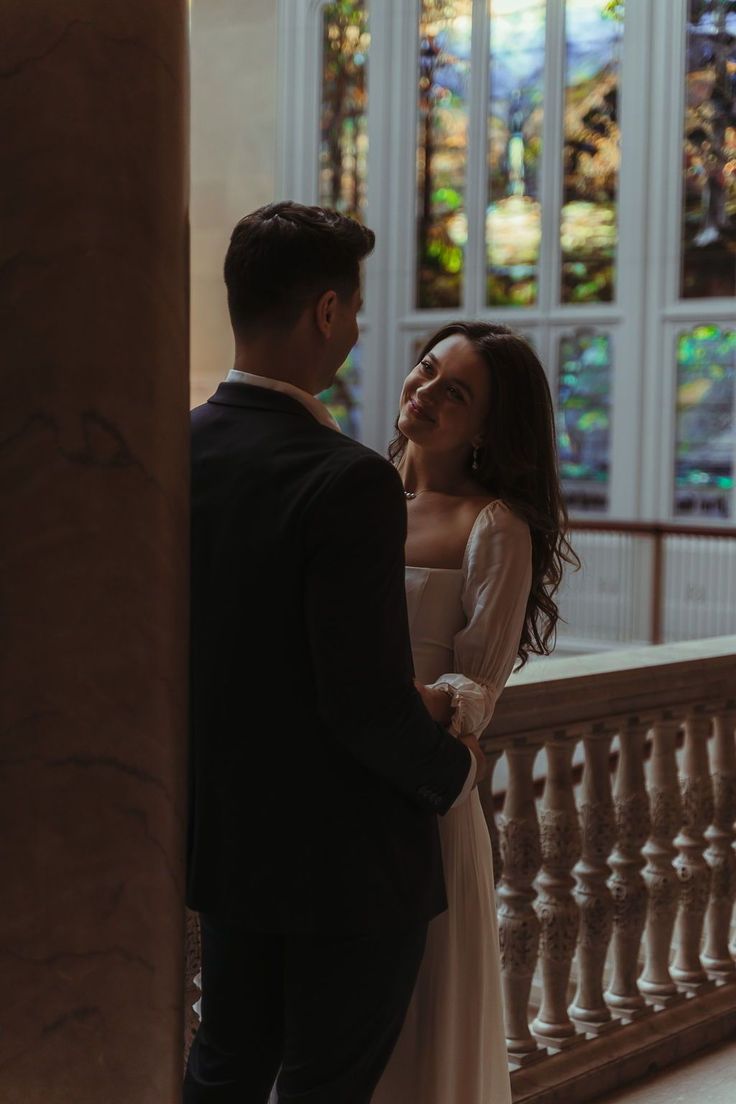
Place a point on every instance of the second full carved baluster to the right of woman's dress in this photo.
(557, 907)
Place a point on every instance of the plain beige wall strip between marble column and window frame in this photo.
(233, 161)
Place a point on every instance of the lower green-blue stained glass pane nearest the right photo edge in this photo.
(706, 434)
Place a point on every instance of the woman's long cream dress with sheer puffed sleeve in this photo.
(466, 625)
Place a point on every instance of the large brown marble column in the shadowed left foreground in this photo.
(93, 437)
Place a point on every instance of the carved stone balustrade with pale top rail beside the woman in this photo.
(618, 873)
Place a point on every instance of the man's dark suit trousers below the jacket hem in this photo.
(325, 1011)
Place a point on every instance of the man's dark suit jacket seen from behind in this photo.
(316, 773)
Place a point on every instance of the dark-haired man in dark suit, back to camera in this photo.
(316, 772)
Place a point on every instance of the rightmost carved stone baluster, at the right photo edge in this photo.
(720, 855)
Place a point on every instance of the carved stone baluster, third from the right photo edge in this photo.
(660, 876)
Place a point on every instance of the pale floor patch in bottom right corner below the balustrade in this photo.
(709, 1078)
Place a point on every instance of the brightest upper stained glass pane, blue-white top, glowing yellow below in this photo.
(514, 219)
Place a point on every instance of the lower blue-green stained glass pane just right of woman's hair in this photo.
(584, 386)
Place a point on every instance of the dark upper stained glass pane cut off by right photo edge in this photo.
(709, 217)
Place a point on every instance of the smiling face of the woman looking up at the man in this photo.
(445, 399)
